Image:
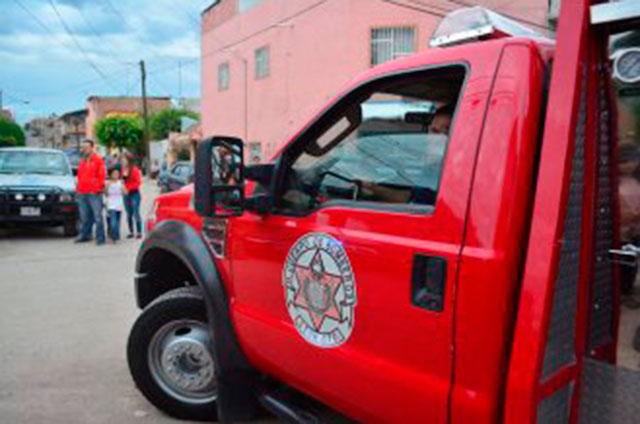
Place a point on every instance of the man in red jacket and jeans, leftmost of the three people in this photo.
(91, 176)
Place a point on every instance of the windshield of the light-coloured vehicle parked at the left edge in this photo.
(30, 162)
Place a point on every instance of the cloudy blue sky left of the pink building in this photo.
(55, 53)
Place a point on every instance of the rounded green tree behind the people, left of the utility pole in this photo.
(120, 131)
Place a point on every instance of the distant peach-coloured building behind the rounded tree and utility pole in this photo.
(99, 107)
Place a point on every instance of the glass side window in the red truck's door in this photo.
(386, 148)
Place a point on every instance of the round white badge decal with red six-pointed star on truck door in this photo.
(320, 290)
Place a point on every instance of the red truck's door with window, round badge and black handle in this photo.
(346, 291)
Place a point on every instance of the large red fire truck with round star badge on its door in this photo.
(437, 245)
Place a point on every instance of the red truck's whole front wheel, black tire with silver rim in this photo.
(170, 356)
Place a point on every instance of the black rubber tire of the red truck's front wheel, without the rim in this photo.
(178, 304)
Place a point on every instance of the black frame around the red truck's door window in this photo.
(334, 111)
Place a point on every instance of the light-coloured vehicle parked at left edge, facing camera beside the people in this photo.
(37, 187)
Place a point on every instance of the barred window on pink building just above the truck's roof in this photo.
(391, 43)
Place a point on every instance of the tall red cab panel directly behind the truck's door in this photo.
(497, 227)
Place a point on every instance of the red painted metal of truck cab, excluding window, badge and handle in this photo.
(385, 373)
